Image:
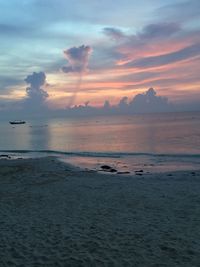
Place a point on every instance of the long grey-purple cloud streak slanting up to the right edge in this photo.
(156, 61)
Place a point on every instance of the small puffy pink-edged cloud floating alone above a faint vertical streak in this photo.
(77, 58)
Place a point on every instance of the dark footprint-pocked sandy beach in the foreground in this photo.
(53, 214)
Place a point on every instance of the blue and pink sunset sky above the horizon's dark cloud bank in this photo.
(64, 53)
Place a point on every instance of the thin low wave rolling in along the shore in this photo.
(103, 154)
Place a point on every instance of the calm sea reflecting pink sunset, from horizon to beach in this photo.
(151, 140)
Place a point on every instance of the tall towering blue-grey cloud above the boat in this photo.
(35, 95)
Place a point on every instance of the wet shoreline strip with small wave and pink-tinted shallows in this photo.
(122, 164)
